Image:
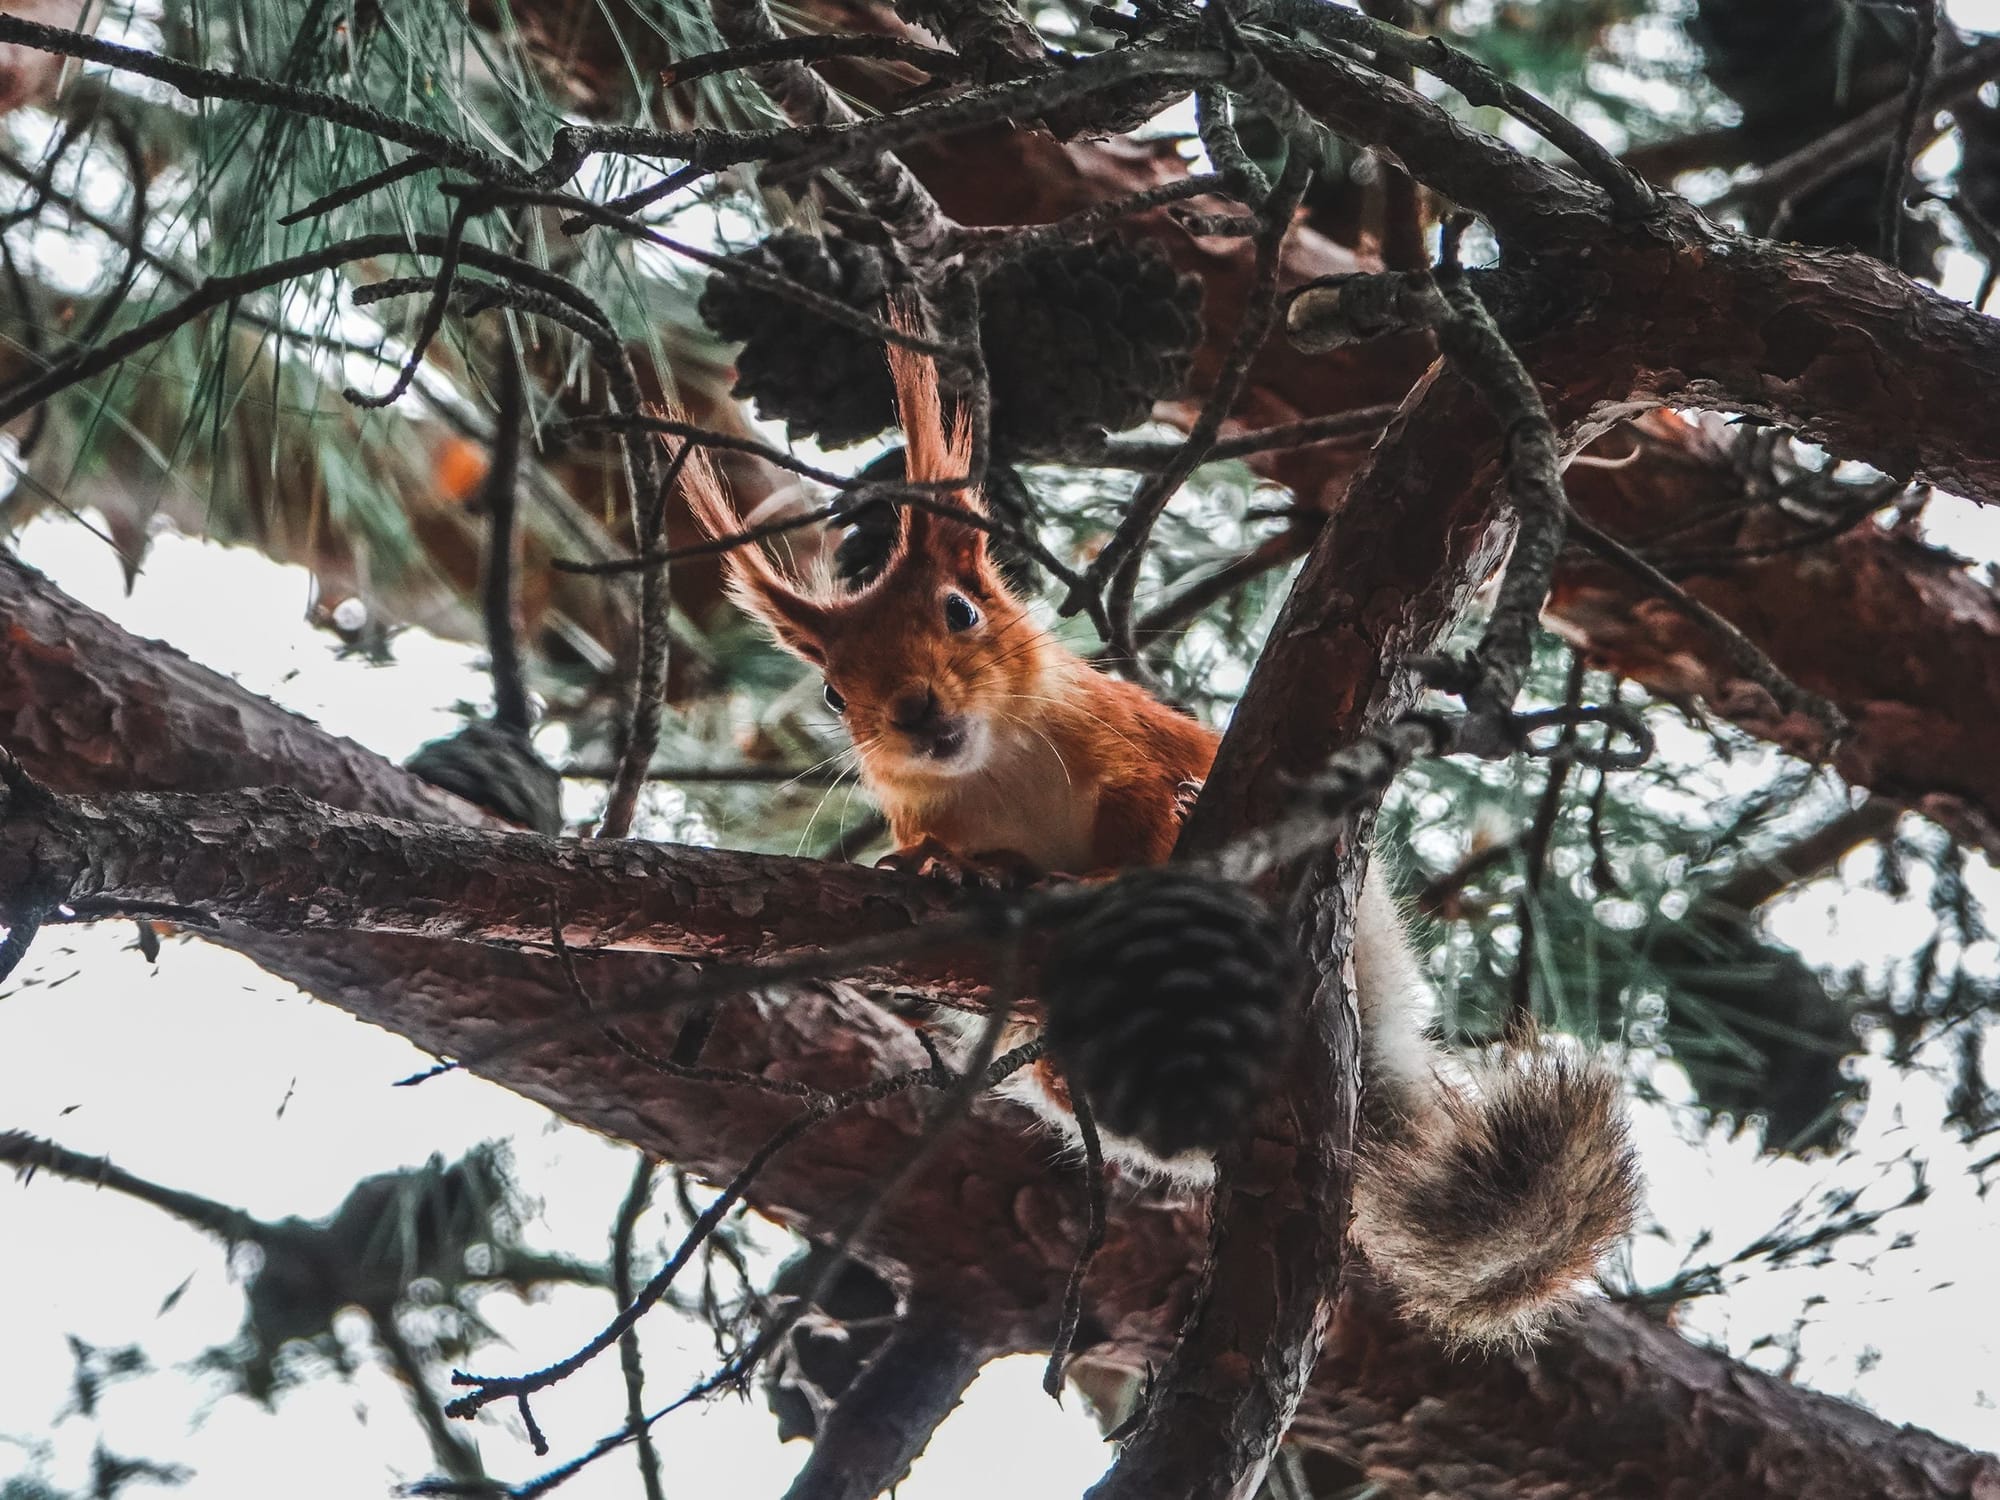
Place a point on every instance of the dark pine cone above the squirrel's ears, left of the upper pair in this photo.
(825, 381)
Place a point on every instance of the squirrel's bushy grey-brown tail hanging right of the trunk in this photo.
(1485, 1207)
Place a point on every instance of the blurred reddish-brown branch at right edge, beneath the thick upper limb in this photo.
(1901, 635)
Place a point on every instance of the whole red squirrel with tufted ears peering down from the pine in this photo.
(1483, 1203)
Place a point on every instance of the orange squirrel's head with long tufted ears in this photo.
(923, 661)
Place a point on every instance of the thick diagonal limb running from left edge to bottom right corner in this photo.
(989, 1223)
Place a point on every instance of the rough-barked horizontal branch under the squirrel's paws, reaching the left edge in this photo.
(283, 863)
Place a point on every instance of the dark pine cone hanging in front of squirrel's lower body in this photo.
(1169, 1005)
